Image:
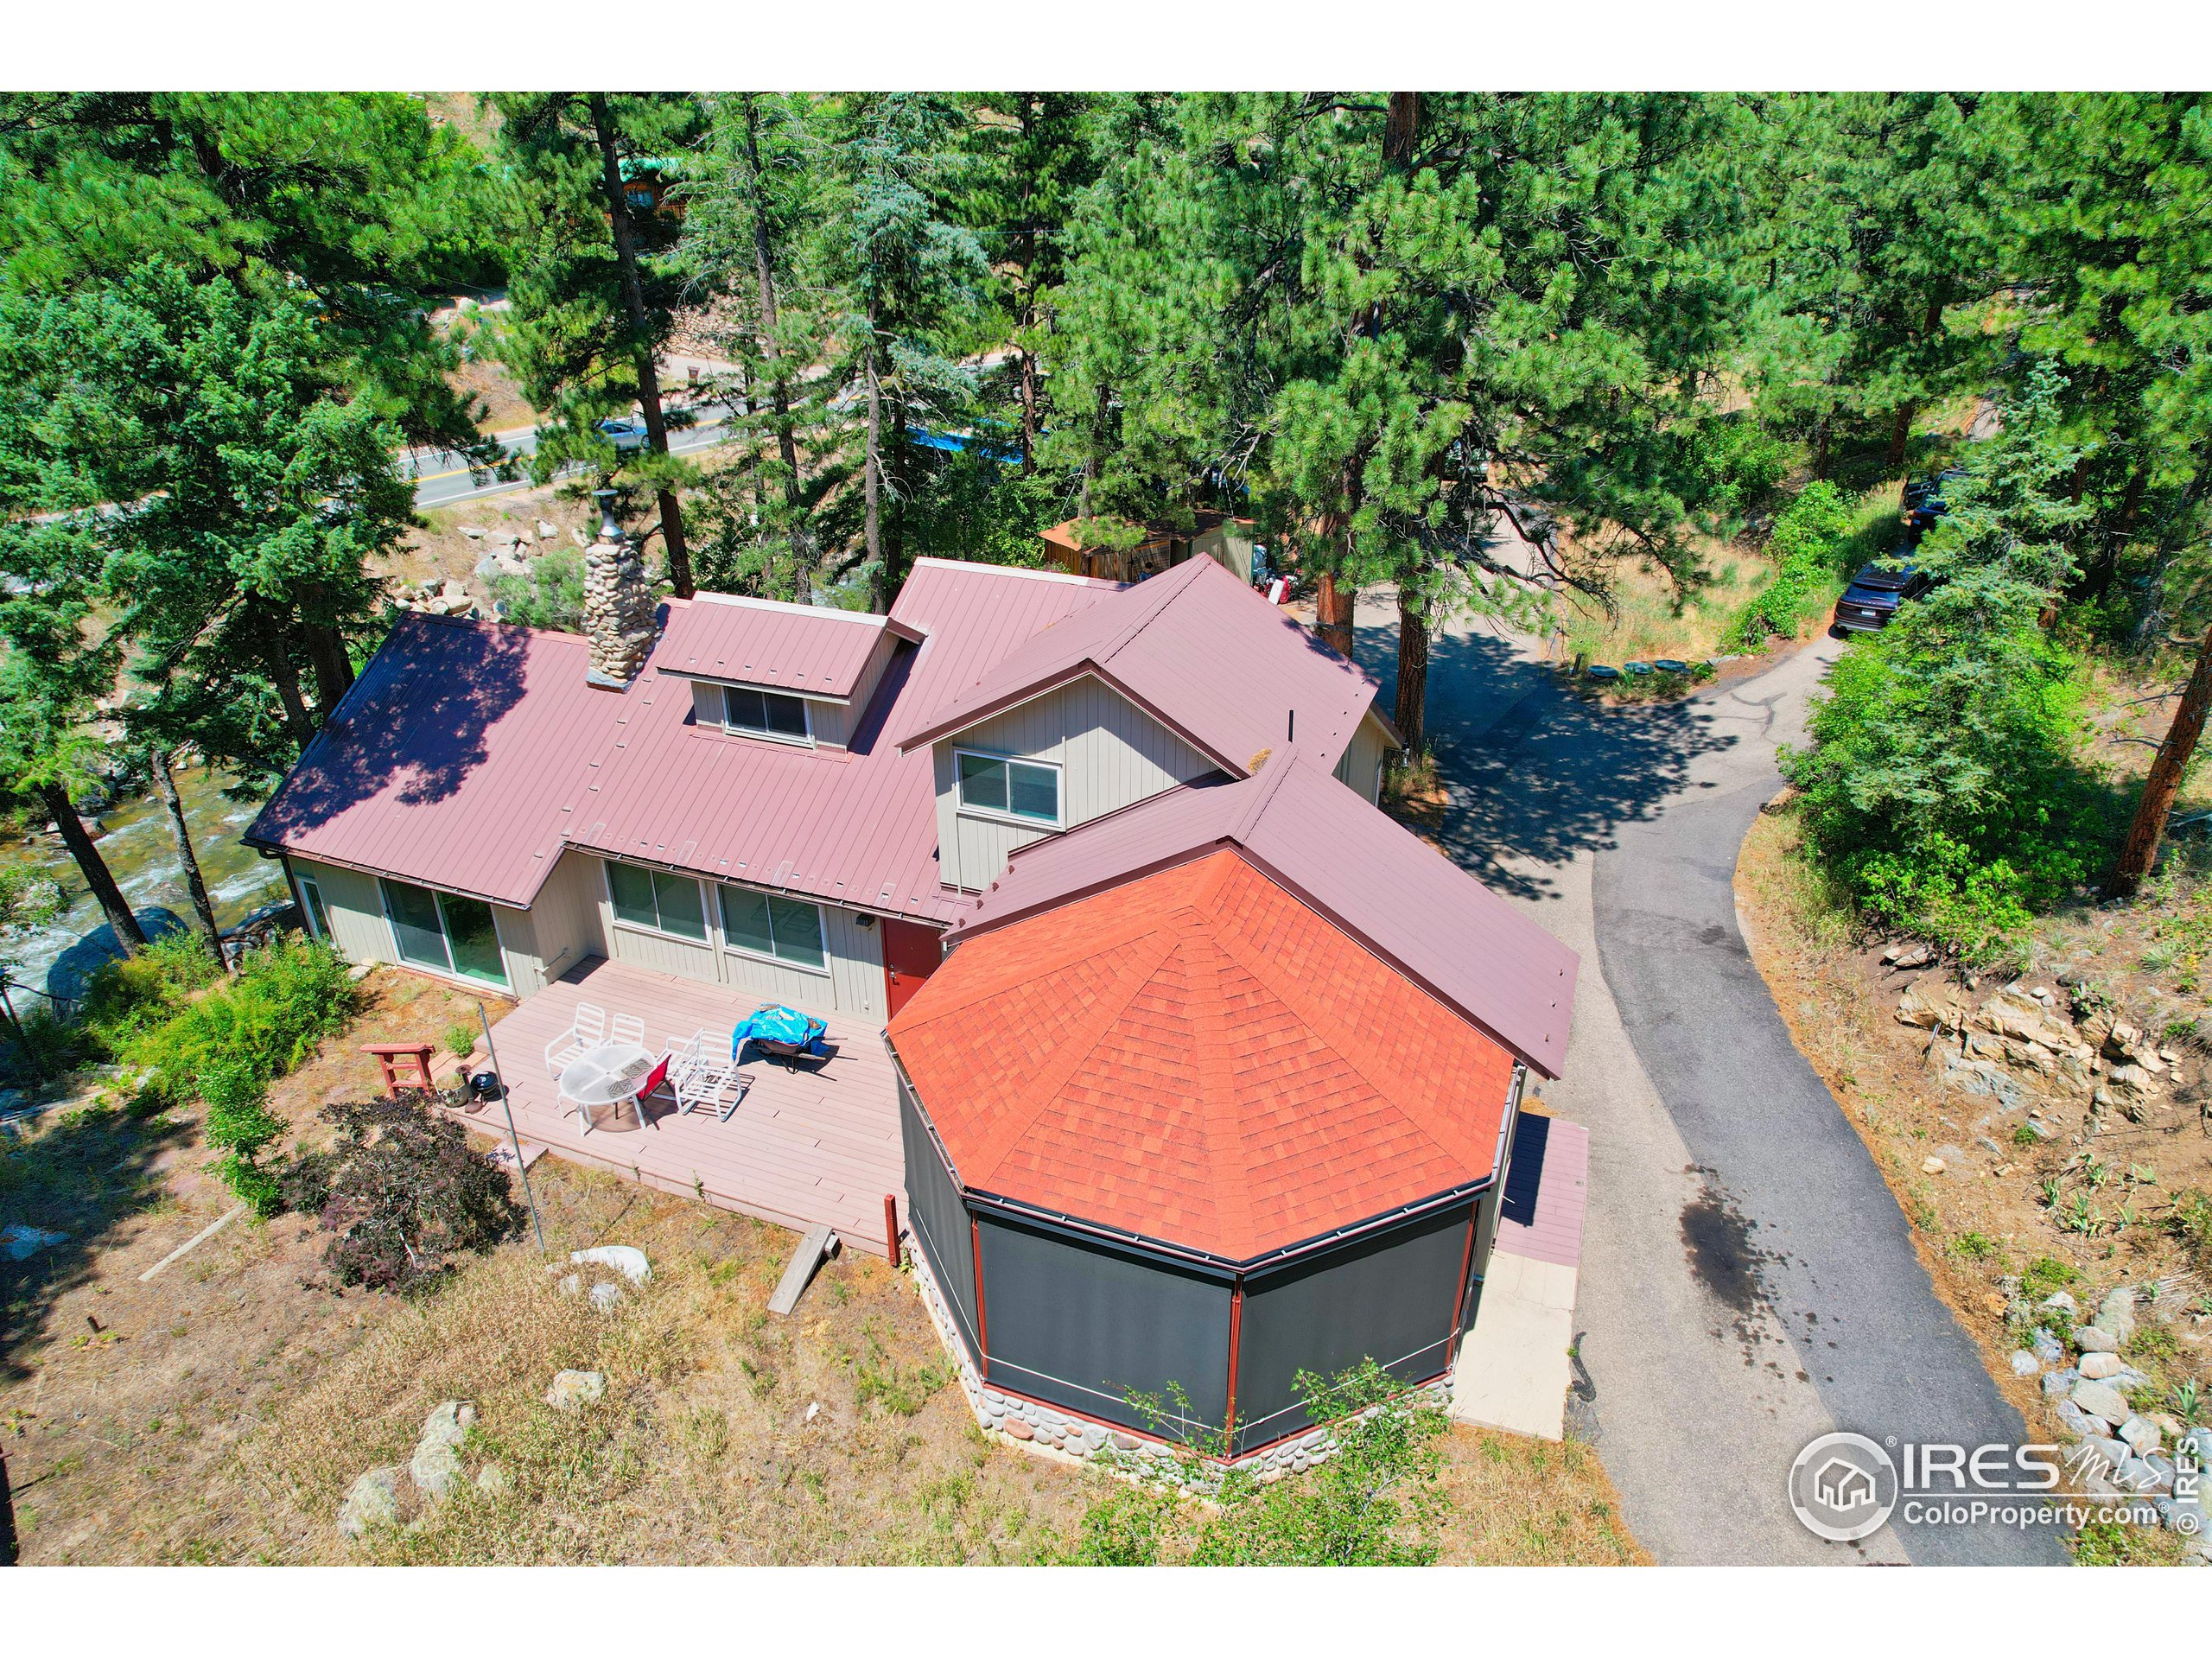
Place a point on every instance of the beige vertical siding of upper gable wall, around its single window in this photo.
(1109, 753)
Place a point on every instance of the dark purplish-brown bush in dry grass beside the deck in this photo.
(404, 1193)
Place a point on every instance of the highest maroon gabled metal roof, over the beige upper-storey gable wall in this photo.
(1200, 651)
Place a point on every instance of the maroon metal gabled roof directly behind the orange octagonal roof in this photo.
(1370, 875)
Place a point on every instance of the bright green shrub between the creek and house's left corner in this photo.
(269, 1019)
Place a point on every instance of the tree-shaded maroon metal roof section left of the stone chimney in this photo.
(448, 760)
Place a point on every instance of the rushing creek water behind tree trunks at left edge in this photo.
(143, 855)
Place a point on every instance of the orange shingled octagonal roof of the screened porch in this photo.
(1200, 1058)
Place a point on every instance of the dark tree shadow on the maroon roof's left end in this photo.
(419, 720)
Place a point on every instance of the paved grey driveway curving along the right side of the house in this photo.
(1749, 1280)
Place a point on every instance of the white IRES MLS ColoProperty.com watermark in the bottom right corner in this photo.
(1846, 1488)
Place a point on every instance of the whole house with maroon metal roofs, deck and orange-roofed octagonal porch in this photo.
(1187, 1070)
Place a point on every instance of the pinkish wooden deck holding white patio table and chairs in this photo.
(811, 1145)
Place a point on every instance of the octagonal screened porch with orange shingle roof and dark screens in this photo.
(1182, 1140)
